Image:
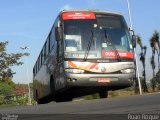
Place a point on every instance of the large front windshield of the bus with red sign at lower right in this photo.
(100, 32)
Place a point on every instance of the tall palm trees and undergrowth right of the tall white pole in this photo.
(155, 50)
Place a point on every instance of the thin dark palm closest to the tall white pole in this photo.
(142, 59)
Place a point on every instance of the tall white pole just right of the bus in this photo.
(131, 28)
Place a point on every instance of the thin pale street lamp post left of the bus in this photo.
(29, 91)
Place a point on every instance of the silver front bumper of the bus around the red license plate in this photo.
(83, 80)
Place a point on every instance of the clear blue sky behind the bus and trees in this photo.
(28, 22)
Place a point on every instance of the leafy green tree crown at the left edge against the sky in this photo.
(7, 61)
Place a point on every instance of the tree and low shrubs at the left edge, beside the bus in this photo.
(8, 94)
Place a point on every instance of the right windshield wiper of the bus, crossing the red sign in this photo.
(107, 39)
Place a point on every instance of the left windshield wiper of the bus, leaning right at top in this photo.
(88, 47)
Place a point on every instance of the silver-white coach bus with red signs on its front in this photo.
(86, 52)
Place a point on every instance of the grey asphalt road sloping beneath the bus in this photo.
(144, 104)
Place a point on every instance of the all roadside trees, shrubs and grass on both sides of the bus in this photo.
(12, 94)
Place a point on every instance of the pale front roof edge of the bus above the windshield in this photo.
(95, 11)
